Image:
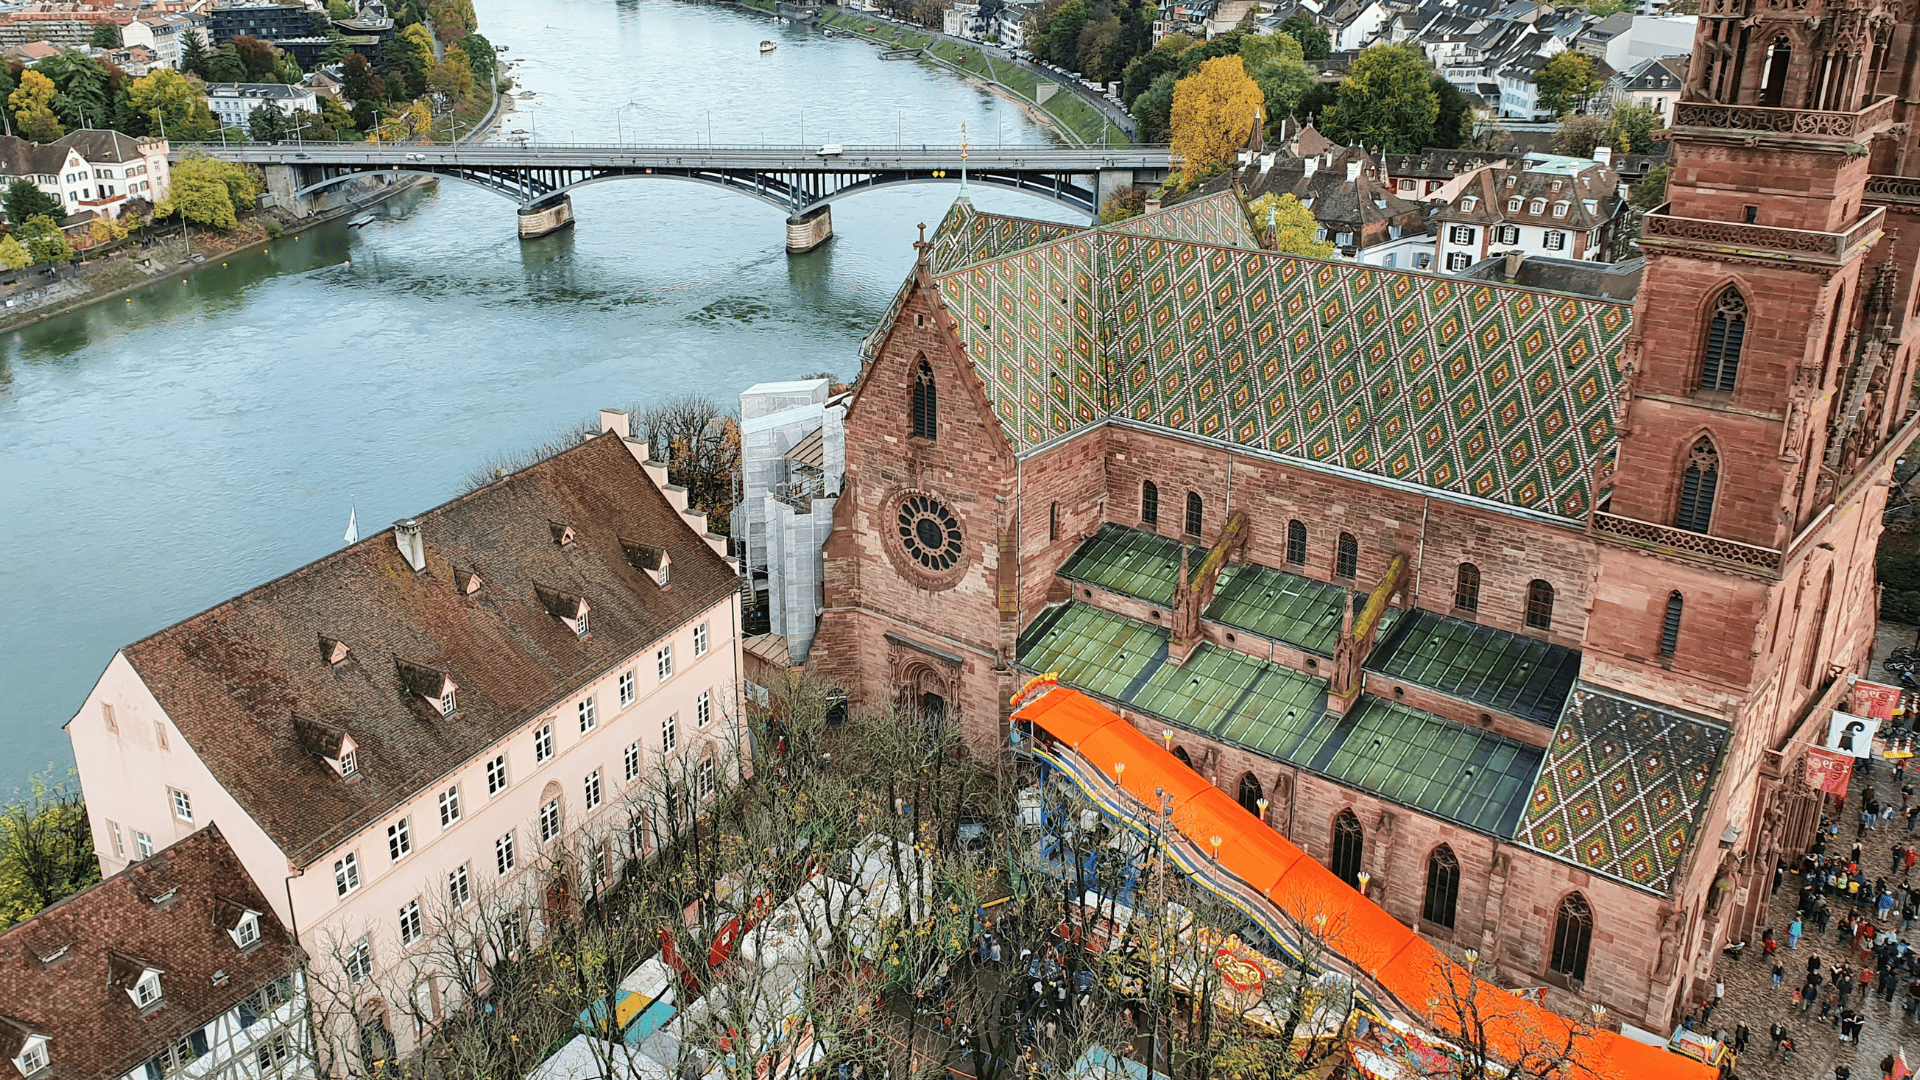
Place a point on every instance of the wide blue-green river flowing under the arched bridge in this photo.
(212, 435)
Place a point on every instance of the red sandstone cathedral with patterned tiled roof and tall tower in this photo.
(1522, 604)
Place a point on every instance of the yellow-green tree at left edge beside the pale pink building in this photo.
(47, 848)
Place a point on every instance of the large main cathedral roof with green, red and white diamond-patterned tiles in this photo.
(1176, 320)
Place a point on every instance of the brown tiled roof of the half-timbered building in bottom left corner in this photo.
(116, 931)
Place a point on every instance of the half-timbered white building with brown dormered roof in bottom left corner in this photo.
(172, 968)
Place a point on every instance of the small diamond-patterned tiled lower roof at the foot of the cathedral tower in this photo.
(1623, 787)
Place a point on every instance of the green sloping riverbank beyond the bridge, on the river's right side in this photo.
(1065, 110)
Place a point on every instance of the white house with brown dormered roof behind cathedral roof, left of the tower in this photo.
(1550, 207)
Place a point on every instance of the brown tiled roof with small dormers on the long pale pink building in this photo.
(235, 677)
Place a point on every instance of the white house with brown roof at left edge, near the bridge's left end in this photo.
(91, 172)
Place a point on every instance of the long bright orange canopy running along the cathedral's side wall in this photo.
(1428, 985)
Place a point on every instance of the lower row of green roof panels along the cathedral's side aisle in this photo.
(1385, 749)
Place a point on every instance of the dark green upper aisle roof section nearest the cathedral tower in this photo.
(1491, 668)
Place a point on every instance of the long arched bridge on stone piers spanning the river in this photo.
(804, 182)
